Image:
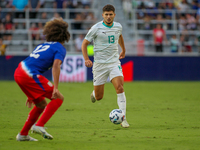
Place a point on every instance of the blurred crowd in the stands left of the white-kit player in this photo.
(16, 9)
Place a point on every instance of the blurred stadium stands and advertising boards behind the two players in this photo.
(22, 21)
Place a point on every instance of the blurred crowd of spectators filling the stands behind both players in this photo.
(149, 13)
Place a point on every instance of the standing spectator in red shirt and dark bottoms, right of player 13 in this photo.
(159, 35)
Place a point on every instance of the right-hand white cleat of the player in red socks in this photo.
(41, 131)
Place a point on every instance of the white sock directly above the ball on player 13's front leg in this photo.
(121, 101)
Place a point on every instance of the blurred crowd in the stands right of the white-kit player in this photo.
(186, 13)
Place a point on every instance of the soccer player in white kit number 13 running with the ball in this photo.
(106, 36)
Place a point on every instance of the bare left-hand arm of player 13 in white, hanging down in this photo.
(88, 62)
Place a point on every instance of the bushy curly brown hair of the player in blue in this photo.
(56, 30)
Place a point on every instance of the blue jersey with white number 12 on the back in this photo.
(43, 56)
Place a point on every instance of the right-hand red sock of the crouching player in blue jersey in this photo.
(49, 111)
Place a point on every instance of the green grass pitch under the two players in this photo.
(162, 116)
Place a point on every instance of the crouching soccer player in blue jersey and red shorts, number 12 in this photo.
(28, 76)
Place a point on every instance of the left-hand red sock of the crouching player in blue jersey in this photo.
(32, 118)
